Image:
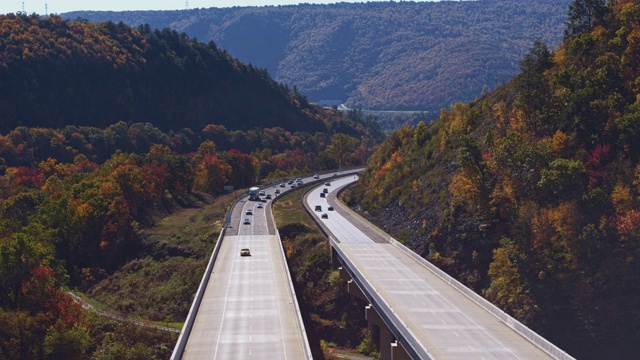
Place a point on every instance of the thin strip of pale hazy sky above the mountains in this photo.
(60, 6)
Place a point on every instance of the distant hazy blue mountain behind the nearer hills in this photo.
(374, 55)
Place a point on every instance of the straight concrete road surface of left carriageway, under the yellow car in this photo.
(247, 311)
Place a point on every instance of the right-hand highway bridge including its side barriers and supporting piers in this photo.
(419, 311)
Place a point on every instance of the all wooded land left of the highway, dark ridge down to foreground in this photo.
(77, 202)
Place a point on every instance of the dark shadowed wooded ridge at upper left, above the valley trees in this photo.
(55, 73)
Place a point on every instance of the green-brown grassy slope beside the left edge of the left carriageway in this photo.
(159, 284)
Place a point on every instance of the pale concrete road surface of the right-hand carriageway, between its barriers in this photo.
(443, 320)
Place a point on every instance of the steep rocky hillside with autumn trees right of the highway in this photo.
(530, 195)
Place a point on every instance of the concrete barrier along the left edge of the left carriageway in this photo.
(193, 311)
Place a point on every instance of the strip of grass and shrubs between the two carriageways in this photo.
(333, 319)
